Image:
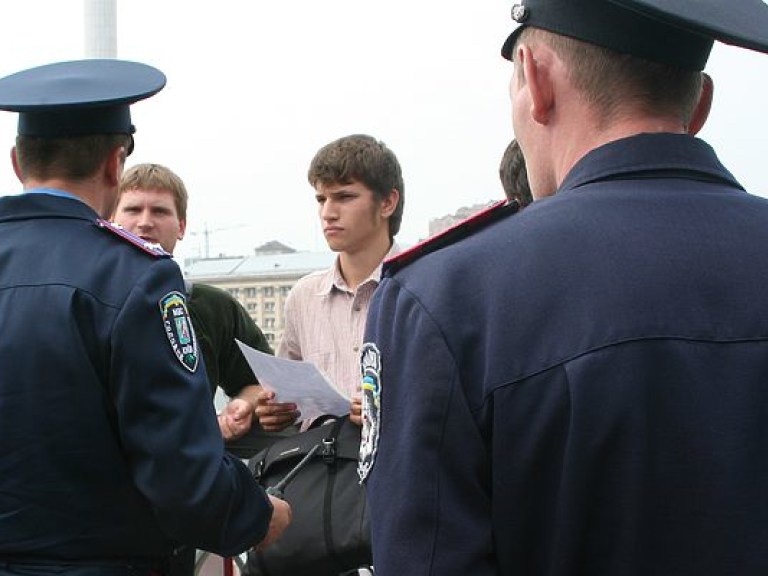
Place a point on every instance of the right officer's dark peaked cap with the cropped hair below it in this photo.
(644, 55)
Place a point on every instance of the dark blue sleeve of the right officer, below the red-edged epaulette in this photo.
(428, 486)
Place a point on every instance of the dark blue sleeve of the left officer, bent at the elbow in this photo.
(201, 496)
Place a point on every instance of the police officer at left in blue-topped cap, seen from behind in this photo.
(110, 453)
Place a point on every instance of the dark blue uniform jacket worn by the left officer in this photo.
(109, 446)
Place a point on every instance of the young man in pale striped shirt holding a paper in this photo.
(359, 192)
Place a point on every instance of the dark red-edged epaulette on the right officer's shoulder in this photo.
(455, 233)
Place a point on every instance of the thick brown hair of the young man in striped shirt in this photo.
(361, 158)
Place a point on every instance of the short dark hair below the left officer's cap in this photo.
(73, 158)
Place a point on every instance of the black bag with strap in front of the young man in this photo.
(316, 473)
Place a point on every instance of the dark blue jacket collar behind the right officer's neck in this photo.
(648, 155)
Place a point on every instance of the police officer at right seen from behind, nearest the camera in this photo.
(582, 387)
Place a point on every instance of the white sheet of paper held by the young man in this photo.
(296, 381)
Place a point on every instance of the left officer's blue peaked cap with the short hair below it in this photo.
(73, 115)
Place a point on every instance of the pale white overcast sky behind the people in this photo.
(255, 87)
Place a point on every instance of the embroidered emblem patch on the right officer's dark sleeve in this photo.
(370, 366)
